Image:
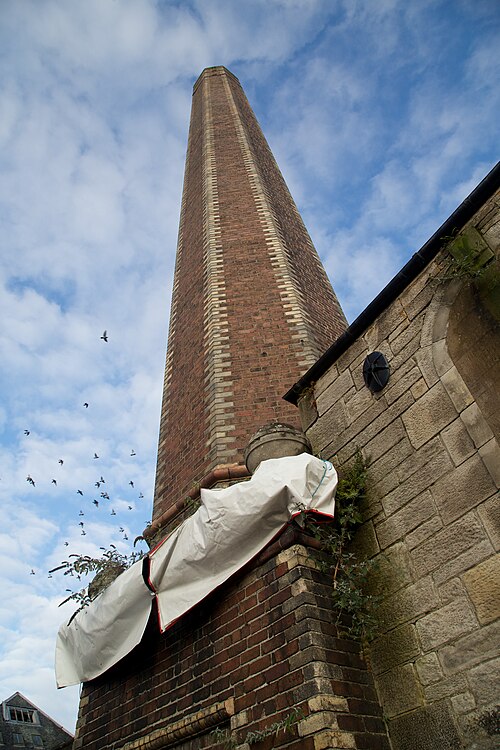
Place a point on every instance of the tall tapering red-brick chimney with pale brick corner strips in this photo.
(252, 307)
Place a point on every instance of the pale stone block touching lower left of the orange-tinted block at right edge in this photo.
(446, 624)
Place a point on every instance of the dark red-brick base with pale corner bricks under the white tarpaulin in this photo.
(264, 645)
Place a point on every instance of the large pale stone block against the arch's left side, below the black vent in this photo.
(429, 415)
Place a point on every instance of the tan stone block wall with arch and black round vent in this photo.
(433, 516)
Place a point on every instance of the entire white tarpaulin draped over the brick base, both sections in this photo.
(228, 530)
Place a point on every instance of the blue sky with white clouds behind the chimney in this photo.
(382, 115)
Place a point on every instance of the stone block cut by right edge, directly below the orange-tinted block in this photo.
(474, 648)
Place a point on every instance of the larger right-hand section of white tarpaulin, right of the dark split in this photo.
(232, 526)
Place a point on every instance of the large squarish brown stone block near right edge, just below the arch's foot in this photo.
(464, 488)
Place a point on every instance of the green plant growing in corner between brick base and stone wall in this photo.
(349, 571)
